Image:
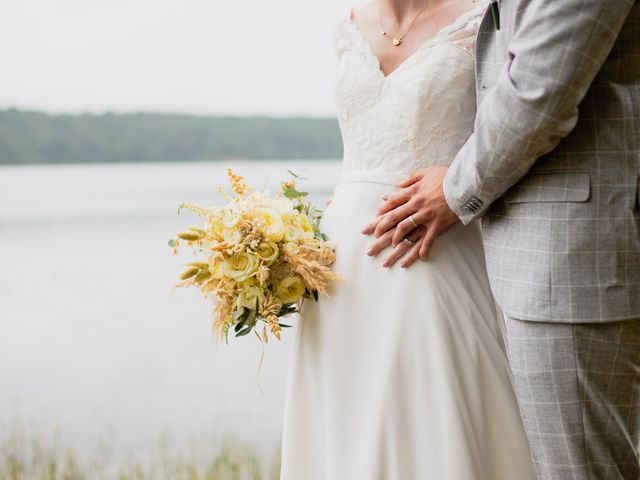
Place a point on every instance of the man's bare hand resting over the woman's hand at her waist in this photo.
(420, 196)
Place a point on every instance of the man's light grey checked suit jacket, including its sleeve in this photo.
(553, 166)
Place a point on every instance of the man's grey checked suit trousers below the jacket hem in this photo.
(578, 386)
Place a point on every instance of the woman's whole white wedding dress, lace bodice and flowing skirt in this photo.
(402, 374)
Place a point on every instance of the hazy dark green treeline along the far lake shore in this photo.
(34, 137)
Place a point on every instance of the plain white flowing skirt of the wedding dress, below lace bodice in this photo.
(401, 374)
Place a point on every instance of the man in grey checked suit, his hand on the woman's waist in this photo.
(553, 170)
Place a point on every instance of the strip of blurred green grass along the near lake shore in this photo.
(22, 458)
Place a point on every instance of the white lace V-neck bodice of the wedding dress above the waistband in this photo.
(420, 114)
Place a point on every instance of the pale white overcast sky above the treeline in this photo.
(271, 57)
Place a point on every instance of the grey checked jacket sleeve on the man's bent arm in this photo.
(554, 55)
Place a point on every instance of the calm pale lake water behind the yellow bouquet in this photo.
(96, 347)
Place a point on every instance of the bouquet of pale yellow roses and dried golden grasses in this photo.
(261, 256)
